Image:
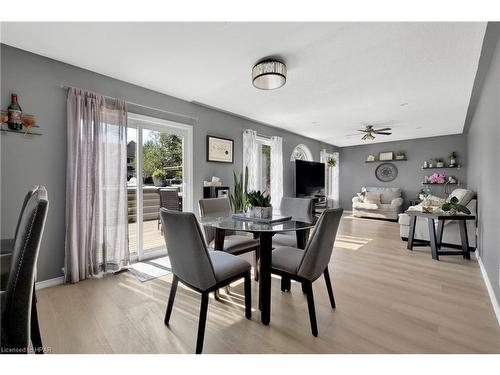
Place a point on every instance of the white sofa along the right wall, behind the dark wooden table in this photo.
(451, 232)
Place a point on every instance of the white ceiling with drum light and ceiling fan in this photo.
(341, 76)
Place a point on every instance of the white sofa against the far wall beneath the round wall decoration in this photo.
(390, 206)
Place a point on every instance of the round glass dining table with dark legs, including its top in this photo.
(264, 232)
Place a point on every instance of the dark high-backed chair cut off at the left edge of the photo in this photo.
(16, 301)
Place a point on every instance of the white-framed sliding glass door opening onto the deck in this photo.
(159, 168)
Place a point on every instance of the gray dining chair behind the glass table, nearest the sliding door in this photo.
(234, 243)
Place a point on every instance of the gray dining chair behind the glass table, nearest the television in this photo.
(299, 209)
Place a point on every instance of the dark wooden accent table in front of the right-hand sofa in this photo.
(435, 239)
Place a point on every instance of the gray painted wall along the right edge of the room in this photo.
(484, 153)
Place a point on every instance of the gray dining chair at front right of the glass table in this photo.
(309, 264)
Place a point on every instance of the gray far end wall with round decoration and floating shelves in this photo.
(355, 173)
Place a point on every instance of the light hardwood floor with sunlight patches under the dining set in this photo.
(389, 300)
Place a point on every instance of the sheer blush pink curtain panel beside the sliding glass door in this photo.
(96, 186)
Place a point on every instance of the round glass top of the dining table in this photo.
(227, 222)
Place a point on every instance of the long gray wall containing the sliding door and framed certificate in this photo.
(26, 161)
